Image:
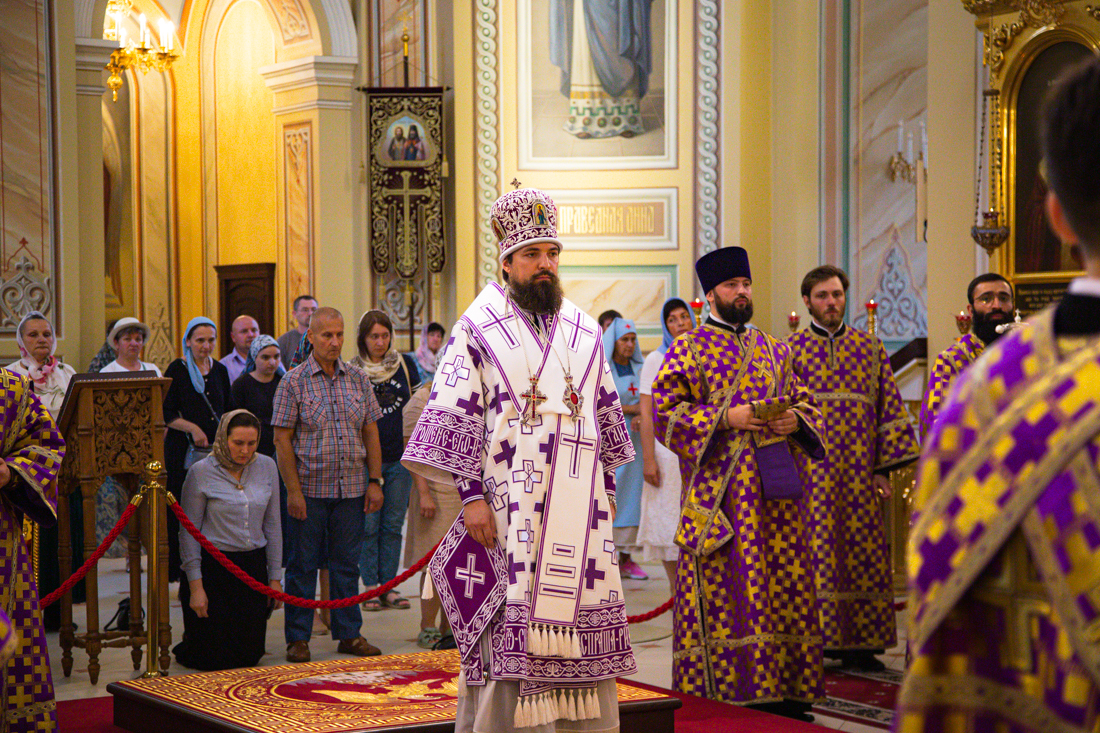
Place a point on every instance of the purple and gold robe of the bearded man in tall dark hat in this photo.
(746, 626)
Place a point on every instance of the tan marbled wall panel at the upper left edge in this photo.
(28, 278)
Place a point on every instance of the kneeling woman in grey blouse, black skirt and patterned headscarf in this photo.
(233, 498)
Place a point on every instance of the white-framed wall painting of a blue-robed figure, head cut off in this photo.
(597, 84)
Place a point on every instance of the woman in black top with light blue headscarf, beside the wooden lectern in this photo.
(193, 407)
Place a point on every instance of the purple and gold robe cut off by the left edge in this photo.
(32, 448)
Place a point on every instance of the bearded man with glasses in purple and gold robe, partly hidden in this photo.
(992, 304)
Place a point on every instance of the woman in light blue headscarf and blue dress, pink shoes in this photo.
(622, 353)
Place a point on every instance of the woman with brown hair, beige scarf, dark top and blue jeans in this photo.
(395, 379)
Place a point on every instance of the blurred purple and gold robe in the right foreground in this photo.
(1005, 560)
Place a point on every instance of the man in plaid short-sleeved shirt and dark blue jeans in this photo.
(327, 441)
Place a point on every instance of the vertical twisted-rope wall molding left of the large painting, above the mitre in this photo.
(489, 163)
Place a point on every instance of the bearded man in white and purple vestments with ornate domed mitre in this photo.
(525, 422)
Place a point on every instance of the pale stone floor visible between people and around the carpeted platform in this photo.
(393, 631)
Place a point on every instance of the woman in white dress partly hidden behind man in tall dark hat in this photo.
(661, 494)
